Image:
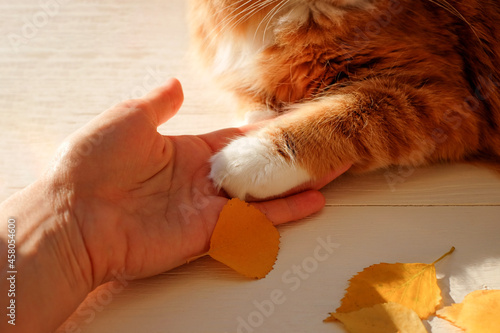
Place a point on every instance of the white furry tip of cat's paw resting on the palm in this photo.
(252, 168)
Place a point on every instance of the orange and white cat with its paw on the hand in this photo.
(374, 83)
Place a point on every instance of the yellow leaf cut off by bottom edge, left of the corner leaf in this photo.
(382, 318)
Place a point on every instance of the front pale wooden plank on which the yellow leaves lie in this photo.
(205, 296)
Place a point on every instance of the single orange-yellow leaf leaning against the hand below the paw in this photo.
(245, 240)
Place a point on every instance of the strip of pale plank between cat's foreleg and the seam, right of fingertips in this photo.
(447, 184)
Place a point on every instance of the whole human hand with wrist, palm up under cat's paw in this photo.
(120, 198)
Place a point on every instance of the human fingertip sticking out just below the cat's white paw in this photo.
(292, 208)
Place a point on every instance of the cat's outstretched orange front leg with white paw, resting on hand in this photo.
(370, 126)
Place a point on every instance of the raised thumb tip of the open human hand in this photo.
(165, 100)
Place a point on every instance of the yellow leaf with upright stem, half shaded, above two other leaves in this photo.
(412, 285)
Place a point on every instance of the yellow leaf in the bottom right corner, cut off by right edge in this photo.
(479, 312)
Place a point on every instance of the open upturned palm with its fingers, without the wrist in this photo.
(143, 201)
